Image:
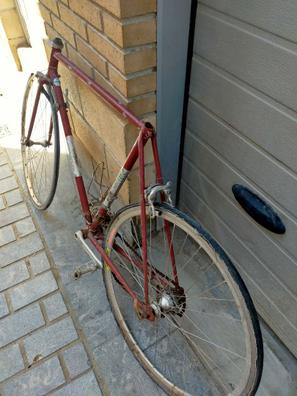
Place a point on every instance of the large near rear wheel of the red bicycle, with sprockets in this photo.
(205, 338)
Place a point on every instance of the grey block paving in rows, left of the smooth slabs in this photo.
(41, 349)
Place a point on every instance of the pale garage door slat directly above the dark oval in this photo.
(248, 158)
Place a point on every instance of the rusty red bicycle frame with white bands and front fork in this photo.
(146, 132)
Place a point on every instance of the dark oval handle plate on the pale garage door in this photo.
(258, 209)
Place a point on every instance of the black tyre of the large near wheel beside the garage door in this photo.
(235, 276)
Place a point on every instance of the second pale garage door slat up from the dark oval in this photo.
(265, 123)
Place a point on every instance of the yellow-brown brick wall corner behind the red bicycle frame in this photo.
(113, 41)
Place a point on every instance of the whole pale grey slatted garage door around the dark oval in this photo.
(242, 128)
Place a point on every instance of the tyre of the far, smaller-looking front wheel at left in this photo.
(49, 96)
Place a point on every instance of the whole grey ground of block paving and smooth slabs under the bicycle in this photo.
(58, 335)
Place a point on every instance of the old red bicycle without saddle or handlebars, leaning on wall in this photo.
(180, 303)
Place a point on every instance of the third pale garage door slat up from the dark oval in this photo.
(248, 54)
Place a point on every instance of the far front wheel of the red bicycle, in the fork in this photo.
(41, 147)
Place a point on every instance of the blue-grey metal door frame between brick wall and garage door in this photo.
(175, 27)
